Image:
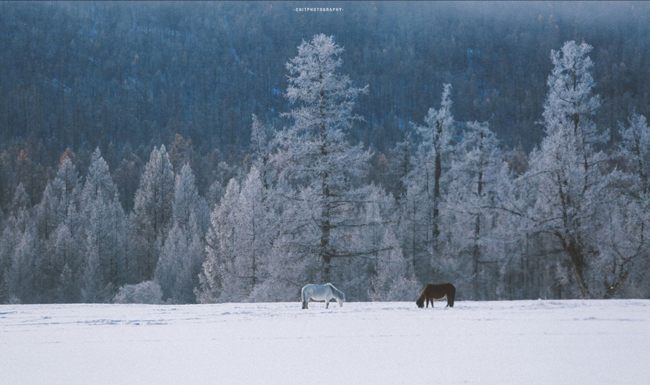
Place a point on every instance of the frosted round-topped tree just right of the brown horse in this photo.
(475, 182)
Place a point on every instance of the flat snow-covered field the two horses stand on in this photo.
(518, 342)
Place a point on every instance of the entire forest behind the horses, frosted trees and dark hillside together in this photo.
(235, 151)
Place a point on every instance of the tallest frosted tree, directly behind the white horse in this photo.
(314, 153)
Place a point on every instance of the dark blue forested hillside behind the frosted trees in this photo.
(129, 76)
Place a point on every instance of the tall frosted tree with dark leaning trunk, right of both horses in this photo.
(565, 183)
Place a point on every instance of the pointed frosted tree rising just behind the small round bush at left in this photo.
(152, 212)
